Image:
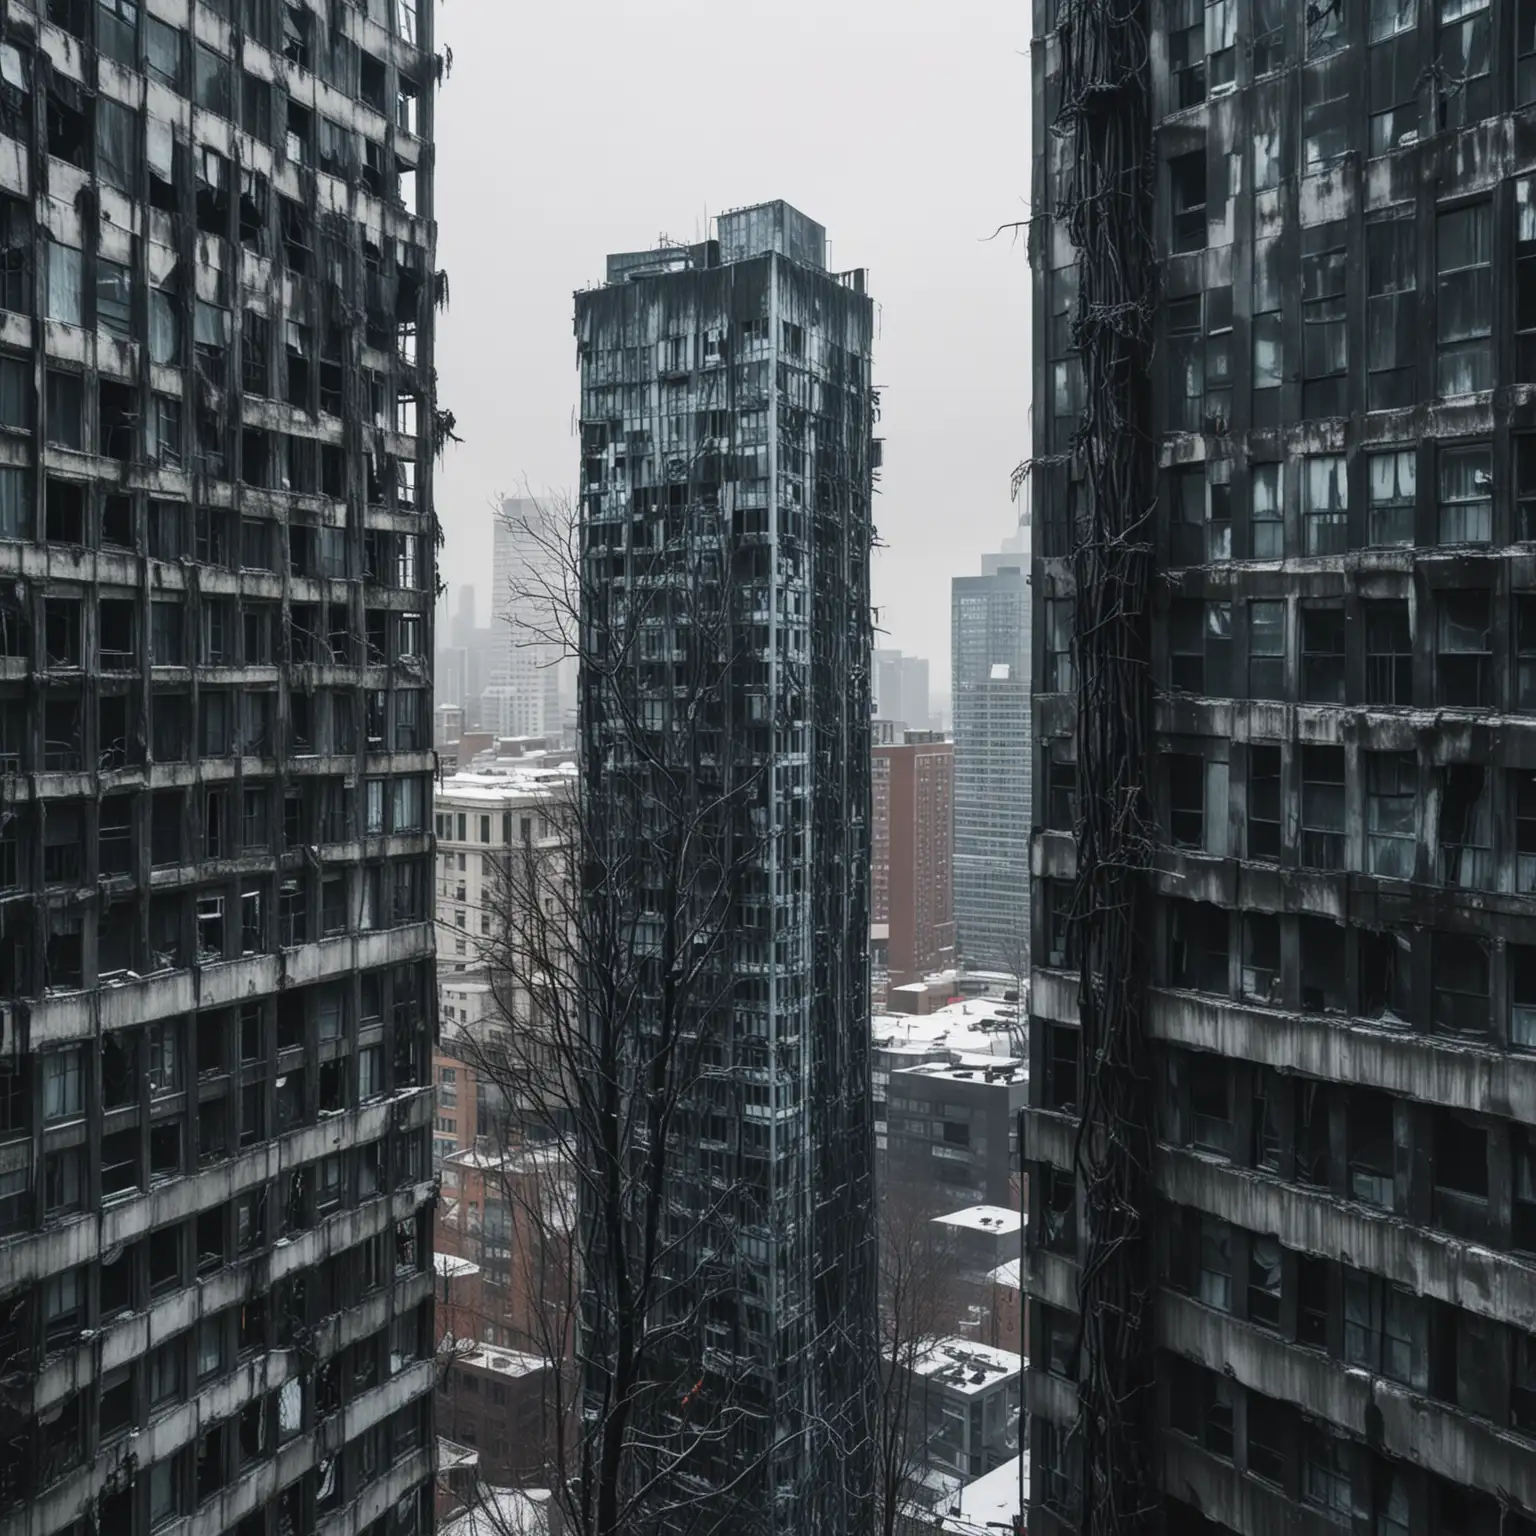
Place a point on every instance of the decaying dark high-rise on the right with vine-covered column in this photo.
(1286, 474)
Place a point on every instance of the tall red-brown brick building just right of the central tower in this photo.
(913, 853)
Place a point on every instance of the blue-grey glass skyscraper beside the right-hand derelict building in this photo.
(993, 764)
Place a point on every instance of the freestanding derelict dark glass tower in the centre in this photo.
(727, 419)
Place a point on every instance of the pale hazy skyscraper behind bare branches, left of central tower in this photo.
(525, 692)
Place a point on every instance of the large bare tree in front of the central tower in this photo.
(611, 967)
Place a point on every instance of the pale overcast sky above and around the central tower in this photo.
(572, 130)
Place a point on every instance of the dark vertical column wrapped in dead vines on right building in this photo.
(1108, 213)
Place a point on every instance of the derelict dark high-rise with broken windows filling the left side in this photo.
(217, 558)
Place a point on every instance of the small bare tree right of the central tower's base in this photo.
(921, 1300)
